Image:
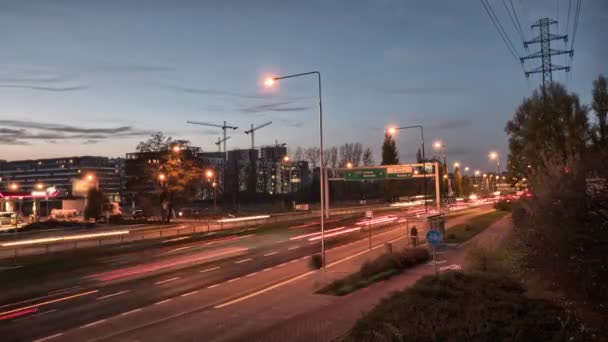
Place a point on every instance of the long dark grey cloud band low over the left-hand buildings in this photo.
(50, 132)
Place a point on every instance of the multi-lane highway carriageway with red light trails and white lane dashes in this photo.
(222, 268)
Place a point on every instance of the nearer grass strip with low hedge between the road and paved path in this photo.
(381, 268)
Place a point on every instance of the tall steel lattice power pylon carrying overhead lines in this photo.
(546, 52)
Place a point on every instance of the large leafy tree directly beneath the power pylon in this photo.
(557, 124)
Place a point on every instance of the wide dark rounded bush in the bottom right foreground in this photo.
(459, 307)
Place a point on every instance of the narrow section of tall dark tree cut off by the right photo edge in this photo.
(599, 134)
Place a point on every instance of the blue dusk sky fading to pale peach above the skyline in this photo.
(96, 77)
